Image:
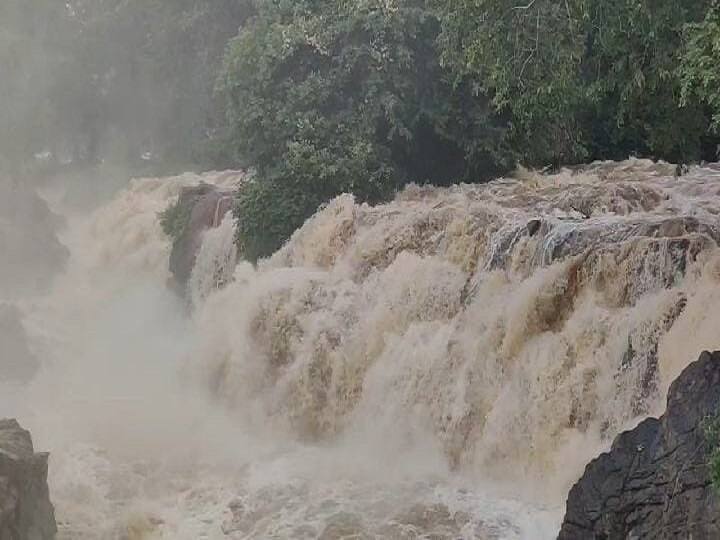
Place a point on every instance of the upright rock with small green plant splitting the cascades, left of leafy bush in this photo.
(206, 206)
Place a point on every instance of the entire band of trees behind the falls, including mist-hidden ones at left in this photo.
(320, 97)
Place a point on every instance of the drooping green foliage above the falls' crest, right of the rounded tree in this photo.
(581, 79)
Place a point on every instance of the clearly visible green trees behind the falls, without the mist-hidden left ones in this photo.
(331, 96)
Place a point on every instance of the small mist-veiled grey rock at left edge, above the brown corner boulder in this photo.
(17, 363)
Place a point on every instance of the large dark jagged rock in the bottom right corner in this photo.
(654, 482)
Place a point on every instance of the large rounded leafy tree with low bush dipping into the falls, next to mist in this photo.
(330, 96)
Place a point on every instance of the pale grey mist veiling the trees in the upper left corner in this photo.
(129, 84)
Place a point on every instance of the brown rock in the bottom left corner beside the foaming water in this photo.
(25, 509)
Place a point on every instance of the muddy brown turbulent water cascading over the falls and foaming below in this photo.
(441, 366)
